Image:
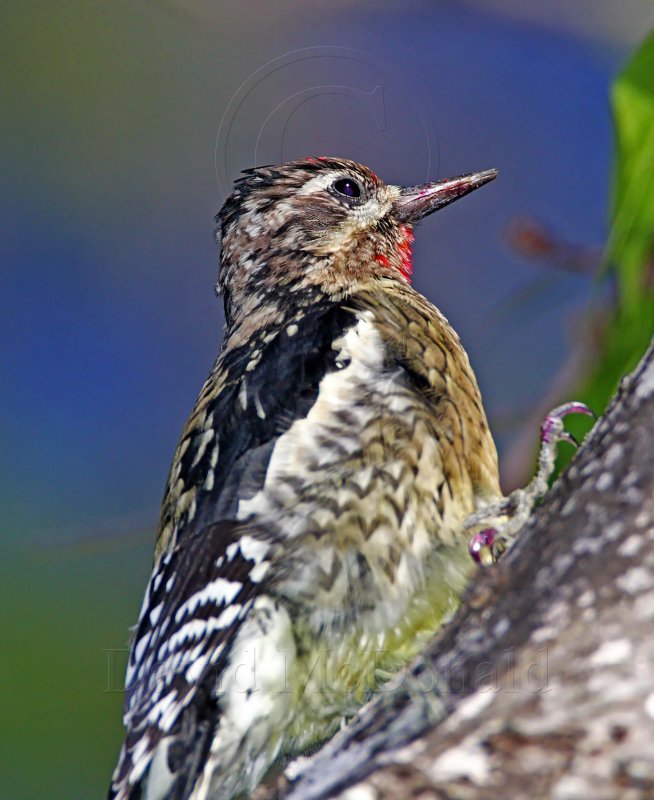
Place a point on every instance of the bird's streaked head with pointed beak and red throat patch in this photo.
(323, 223)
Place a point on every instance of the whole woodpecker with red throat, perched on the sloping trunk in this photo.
(316, 524)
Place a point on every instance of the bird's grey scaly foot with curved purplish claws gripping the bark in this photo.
(488, 544)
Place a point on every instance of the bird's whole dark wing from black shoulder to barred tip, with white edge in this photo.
(208, 589)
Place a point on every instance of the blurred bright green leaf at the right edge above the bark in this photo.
(627, 328)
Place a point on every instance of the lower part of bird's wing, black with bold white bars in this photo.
(198, 597)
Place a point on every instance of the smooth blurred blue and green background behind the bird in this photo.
(121, 126)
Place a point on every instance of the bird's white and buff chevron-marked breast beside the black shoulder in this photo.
(362, 491)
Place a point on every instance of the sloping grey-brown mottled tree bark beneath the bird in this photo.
(543, 683)
